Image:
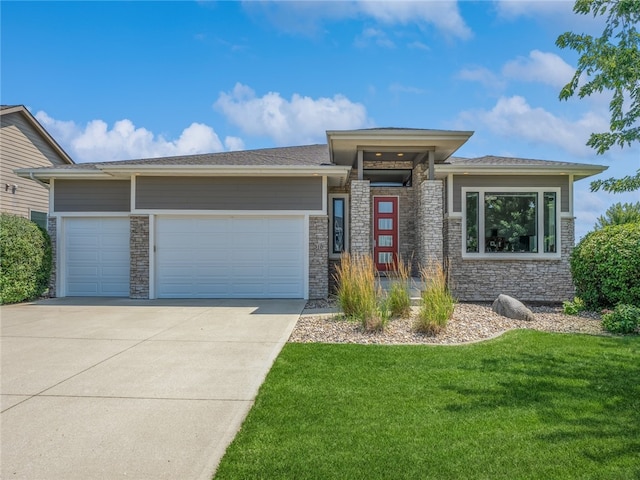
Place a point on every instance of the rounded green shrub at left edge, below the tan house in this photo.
(25, 259)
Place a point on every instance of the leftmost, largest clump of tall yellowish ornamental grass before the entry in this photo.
(356, 281)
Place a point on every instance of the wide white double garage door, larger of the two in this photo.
(230, 257)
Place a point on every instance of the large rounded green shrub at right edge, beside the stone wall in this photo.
(605, 266)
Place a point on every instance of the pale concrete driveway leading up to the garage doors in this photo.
(118, 388)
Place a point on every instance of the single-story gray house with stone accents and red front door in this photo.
(273, 222)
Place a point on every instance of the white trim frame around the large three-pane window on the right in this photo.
(482, 253)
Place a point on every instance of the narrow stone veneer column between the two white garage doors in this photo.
(139, 251)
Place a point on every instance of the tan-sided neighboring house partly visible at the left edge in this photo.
(24, 143)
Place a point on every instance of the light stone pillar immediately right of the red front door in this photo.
(429, 223)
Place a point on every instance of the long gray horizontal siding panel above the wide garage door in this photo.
(229, 193)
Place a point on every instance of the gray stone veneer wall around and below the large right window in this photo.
(526, 280)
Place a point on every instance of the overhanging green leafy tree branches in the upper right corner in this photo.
(610, 62)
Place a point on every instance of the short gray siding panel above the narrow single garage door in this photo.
(92, 196)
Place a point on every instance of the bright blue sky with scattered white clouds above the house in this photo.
(119, 80)
